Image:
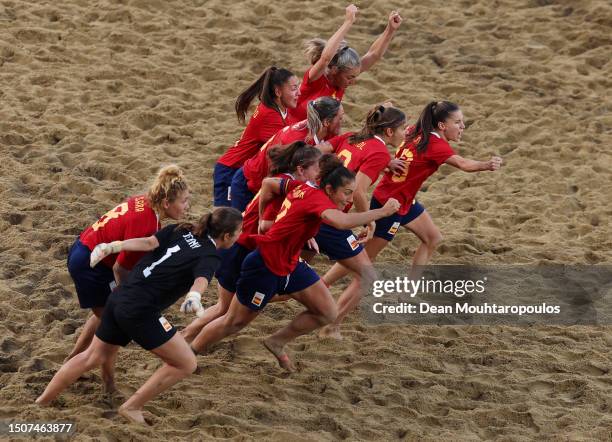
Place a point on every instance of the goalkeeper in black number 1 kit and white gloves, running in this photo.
(183, 258)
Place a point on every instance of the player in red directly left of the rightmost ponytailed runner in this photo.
(364, 153)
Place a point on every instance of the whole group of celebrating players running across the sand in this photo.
(283, 193)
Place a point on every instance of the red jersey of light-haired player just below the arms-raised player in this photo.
(257, 168)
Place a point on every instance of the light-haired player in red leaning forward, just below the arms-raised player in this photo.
(324, 121)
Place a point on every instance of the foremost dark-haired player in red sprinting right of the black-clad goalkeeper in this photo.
(274, 267)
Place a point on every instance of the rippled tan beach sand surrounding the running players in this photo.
(96, 95)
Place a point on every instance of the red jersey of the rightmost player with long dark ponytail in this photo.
(420, 167)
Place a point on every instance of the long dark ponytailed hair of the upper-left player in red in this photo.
(263, 88)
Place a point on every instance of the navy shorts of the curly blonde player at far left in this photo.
(93, 285)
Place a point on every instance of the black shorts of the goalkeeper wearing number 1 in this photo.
(122, 324)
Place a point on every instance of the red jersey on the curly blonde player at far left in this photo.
(132, 219)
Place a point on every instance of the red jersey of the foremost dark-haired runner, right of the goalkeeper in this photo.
(297, 222)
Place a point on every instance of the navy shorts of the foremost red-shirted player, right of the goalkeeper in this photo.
(257, 284)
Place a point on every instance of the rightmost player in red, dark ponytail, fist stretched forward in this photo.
(425, 149)
